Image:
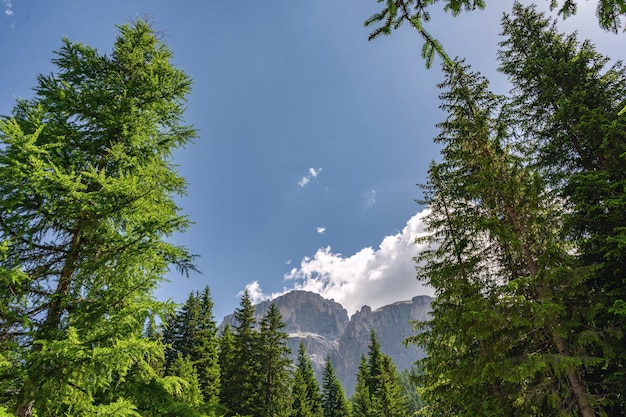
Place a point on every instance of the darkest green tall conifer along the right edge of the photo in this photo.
(569, 101)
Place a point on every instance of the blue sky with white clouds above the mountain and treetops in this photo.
(311, 139)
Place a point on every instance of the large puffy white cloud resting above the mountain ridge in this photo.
(373, 277)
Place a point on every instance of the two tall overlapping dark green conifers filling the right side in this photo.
(521, 324)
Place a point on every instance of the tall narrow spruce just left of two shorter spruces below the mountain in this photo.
(275, 365)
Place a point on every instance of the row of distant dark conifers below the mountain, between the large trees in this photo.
(247, 370)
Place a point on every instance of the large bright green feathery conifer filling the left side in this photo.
(87, 192)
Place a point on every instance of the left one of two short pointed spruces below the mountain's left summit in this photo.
(305, 393)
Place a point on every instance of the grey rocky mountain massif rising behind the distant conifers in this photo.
(325, 328)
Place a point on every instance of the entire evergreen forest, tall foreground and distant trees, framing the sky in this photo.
(526, 238)
